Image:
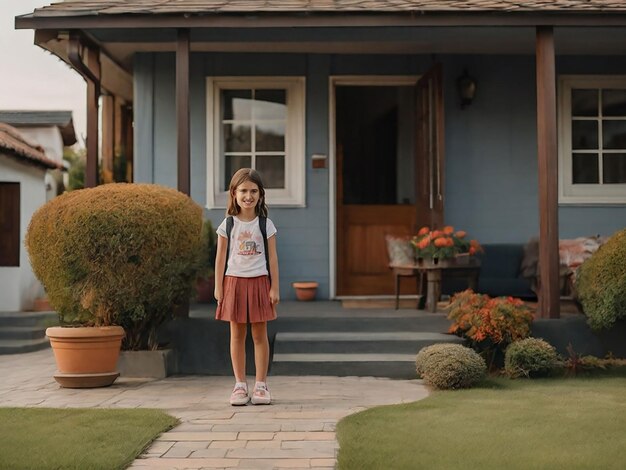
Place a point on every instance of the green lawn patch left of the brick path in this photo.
(46, 438)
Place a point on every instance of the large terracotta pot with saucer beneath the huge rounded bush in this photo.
(86, 356)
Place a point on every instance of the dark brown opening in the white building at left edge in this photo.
(9, 224)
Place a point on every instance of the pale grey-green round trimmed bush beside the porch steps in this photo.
(450, 366)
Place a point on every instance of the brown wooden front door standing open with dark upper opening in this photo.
(379, 134)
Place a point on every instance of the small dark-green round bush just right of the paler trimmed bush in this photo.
(530, 357)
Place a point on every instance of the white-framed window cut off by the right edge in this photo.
(592, 150)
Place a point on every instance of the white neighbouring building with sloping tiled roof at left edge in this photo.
(23, 169)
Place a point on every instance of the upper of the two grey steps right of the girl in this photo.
(401, 342)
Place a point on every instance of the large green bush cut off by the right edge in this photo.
(601, 283)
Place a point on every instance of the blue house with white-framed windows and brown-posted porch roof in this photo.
(360, 116)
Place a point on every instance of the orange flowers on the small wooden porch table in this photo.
(443, 244)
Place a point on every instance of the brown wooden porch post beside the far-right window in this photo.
(548, 175)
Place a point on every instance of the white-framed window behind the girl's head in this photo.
(258, 123)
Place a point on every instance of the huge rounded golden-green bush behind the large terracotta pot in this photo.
(118, 254)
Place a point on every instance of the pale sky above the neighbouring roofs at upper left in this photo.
(31, 78)
